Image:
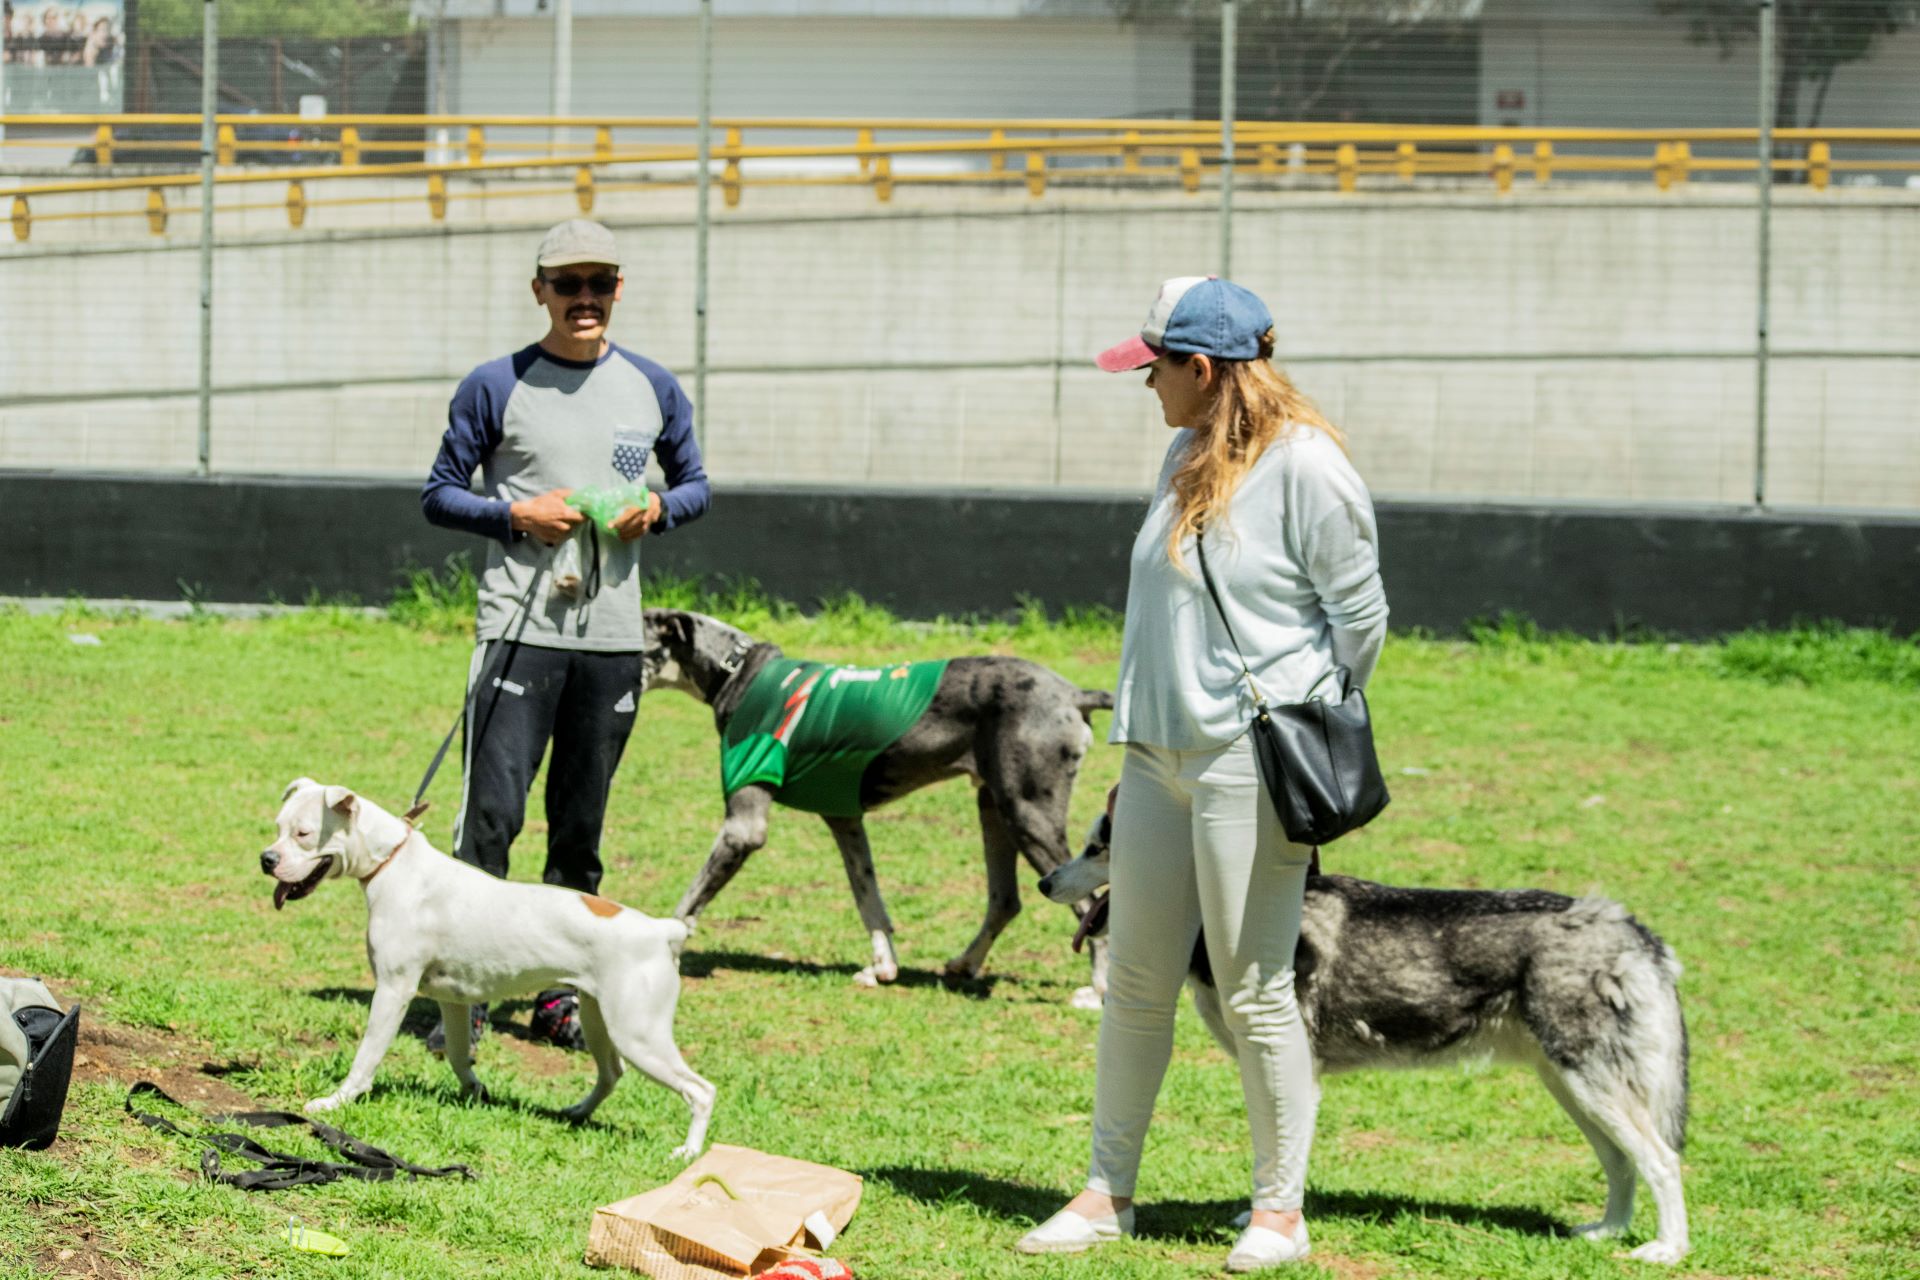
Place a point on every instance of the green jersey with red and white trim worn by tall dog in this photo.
(809, 730)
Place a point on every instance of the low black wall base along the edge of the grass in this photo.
(1593, 571)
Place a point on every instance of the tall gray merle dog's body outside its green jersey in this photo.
(1013, 726)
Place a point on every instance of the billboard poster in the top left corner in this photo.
(62, 55)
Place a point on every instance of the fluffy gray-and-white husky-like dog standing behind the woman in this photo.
(1416, 978)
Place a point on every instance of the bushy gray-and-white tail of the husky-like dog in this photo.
(1648, 1041)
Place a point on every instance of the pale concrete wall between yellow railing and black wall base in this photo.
(1558, 346)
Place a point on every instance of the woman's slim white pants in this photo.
(1197, 843)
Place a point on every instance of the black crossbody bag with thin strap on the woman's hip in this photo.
(1316, 757)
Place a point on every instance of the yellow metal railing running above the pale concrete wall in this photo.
(613, 154)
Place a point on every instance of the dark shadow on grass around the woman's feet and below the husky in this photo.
(1203, 1221)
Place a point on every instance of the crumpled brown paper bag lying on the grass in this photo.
(731, 1214)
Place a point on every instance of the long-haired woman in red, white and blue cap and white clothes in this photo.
(1197, 845)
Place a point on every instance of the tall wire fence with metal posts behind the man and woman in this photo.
(1518, 249)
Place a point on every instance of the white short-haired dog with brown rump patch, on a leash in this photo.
(458, 936)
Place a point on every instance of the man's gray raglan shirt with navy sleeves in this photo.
(531, 423)
